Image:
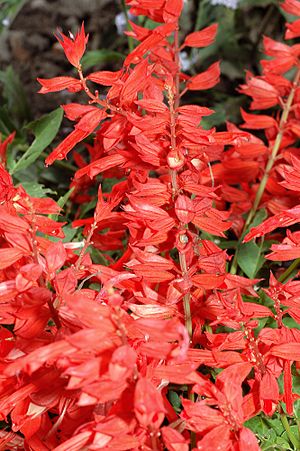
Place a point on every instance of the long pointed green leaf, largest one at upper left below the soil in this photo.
(45, 130)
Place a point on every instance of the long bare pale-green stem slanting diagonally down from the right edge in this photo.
(270, 163)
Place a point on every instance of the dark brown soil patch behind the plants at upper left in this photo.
(29, 44)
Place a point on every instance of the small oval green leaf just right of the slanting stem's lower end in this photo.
(249, 259)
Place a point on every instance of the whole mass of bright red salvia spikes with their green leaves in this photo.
(160, 309)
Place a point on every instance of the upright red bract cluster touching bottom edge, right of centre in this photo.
(222, 426)
